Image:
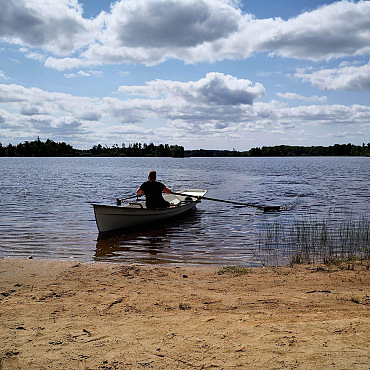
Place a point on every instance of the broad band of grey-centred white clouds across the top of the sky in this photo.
(152, 31)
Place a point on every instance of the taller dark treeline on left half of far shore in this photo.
(50, 148)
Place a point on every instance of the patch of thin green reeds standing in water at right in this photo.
(315, 241)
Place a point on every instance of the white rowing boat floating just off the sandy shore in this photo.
(135, 213)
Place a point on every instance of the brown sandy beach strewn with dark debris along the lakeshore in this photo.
(71, 315)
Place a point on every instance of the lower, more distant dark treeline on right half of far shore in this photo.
(287, 151)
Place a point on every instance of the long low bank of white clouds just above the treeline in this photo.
(217, 107)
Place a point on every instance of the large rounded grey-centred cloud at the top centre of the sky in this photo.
(170, 24)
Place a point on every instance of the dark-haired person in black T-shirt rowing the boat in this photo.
(153, 192)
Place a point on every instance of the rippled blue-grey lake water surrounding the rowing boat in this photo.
(45, 209)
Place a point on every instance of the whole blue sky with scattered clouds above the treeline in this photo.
(211, 74)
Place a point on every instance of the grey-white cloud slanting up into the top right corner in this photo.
(336, 30)
